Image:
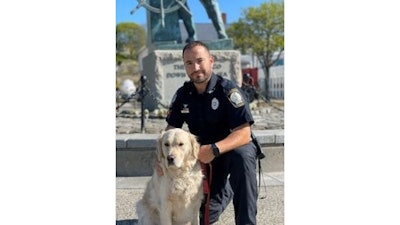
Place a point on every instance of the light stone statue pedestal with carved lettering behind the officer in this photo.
(165, 73)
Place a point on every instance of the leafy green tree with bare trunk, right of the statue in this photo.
(261, 32)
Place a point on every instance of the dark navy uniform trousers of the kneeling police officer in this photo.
(234, 176)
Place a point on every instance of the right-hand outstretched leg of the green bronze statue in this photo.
(214, 14)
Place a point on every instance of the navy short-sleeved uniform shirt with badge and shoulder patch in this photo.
(212, 115)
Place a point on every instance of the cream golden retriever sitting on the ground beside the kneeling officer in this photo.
(175, 197)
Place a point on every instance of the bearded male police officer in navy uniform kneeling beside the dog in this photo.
(216, 112)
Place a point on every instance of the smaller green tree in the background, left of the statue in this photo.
(130, 37)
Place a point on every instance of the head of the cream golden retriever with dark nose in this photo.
(177, 148)
